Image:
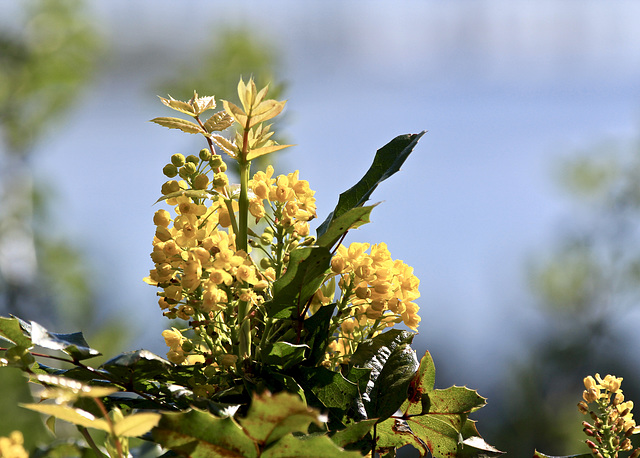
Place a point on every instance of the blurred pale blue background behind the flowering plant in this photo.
(505, 90)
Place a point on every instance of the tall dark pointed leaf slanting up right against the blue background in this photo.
(387, 161)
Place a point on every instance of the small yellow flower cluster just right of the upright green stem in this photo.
(290, 199)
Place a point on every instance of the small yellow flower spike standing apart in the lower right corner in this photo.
(613, 421)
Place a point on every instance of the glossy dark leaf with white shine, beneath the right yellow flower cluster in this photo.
(393, 365)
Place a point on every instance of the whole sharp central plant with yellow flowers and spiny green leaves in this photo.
(281, 343)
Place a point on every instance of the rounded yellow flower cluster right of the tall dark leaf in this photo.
(380, 289)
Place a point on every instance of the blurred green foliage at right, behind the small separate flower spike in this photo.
(586, 286)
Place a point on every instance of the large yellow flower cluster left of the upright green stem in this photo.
(196, 264)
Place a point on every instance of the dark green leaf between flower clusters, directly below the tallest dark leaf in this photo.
(305, 273)
